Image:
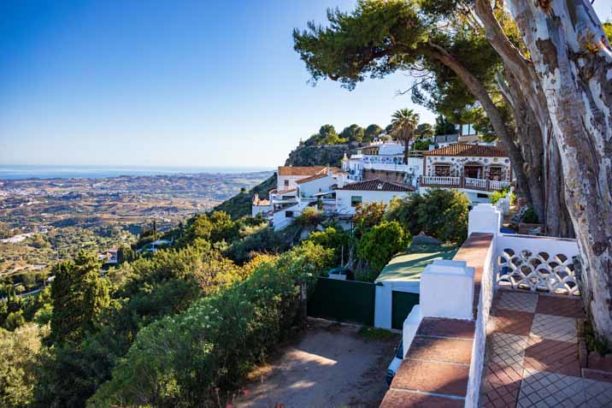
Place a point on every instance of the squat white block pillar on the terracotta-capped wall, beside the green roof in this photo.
(447, 290)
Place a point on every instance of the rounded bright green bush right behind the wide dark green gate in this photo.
(378, 245)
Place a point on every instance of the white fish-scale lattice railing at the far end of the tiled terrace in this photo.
(543, 264)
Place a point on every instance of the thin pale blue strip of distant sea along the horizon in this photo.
(20, 172)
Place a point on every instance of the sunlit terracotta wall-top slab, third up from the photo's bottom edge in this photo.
(441, 349)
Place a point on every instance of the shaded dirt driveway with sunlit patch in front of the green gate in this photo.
(329, 365)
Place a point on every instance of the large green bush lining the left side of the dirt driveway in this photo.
(183, 360)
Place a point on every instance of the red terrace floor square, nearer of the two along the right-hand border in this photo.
(552, 356)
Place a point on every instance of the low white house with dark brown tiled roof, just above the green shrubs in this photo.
(349, 197)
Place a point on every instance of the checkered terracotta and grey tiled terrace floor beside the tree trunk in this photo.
(533, 355)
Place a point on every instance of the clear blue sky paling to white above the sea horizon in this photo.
(165, 83)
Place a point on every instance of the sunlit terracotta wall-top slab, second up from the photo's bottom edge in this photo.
(427, 376)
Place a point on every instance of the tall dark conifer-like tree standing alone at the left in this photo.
(79, 295)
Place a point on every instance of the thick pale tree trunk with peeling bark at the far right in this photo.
(573, 62)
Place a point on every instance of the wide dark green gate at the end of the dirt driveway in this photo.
(343, 300)
